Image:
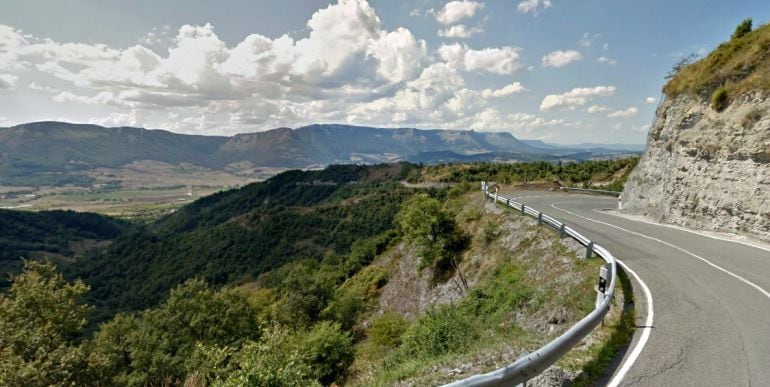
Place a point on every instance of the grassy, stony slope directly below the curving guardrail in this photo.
(531, 288)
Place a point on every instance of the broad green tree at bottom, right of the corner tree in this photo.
(159, 346)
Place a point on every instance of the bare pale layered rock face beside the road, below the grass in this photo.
(705, 169)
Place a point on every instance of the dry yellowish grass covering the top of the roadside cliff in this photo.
(739, 65)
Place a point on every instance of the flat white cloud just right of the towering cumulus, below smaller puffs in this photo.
(502, 60)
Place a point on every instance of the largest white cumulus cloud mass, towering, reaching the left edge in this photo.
(347, 56)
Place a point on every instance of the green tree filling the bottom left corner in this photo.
(40, 317)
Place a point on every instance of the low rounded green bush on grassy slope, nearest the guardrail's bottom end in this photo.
(438, 332)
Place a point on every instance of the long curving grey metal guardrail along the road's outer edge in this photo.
(530, 365)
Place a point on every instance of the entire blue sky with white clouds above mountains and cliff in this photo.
(562, 71)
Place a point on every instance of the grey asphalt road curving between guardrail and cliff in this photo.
(710, 297)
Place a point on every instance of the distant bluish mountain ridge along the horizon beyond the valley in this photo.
(58, 150)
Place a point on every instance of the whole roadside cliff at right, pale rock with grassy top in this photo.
(707, 164)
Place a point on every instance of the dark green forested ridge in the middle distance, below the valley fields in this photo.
(234, 236)
